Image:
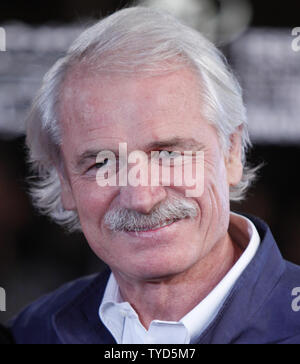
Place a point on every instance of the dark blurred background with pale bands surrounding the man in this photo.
(36, 256)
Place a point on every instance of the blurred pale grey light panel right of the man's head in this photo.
(269, 72)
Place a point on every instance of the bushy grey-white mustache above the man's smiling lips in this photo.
(122, 219)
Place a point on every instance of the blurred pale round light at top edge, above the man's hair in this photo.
(221, 21)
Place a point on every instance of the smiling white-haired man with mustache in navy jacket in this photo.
(182, 270)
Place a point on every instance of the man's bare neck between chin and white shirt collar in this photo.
(151, 299)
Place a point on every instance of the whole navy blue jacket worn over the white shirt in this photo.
(257, 311)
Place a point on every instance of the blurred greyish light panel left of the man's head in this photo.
(29, 54)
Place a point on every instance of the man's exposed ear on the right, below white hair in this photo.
(233, 162)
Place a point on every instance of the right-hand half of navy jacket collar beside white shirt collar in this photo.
(250, 292)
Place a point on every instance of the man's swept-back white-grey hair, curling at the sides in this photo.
(132, 40)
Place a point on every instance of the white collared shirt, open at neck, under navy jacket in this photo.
(124, 324)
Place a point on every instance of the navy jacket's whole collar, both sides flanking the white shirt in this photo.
(79, 323)
